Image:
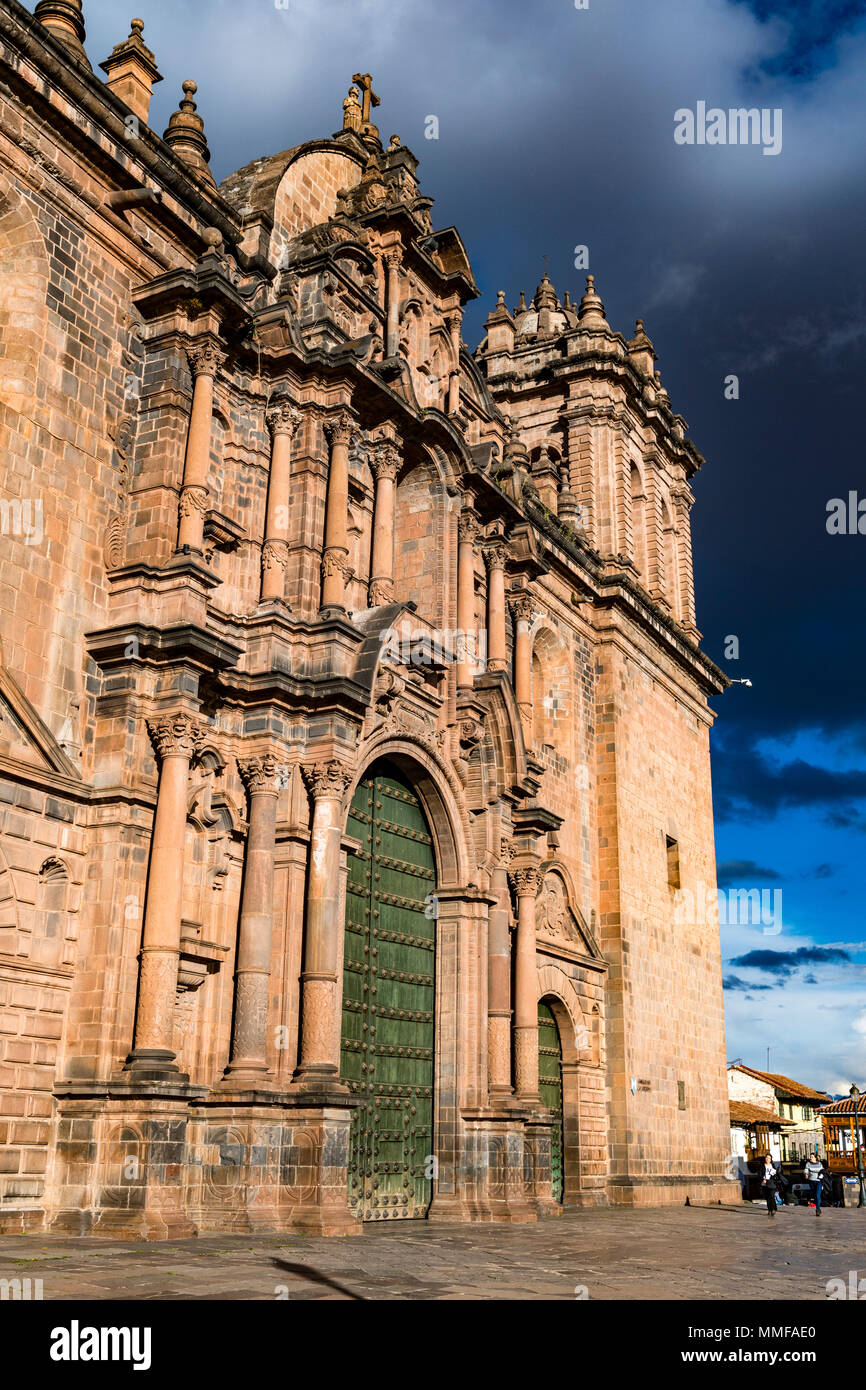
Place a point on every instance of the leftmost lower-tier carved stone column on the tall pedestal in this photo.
(176, 739)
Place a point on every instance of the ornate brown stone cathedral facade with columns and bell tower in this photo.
(354, 722)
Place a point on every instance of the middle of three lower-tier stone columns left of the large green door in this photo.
(263, 778)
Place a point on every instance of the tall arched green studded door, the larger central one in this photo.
(389, 1000)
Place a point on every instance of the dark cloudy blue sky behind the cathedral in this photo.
(557, 130)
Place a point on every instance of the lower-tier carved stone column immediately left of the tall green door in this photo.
(319, 1063)
